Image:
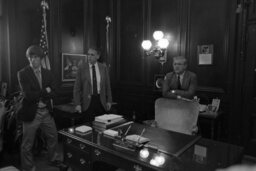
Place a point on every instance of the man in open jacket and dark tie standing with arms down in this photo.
(92, 91)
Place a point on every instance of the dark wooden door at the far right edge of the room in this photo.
(249, 91)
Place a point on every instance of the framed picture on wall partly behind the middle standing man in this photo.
(70, 64)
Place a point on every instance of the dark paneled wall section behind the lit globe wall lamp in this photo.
(189, 23)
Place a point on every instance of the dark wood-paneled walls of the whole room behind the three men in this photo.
(189, 23)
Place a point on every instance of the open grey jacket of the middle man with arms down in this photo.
(83, 86)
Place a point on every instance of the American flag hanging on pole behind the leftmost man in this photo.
(43, 38)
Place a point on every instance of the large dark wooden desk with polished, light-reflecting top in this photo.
(80, 152)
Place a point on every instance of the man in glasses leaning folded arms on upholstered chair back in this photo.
(180, 83)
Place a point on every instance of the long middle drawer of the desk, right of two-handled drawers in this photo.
(99, 155)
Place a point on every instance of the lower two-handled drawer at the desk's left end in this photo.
(76, 158)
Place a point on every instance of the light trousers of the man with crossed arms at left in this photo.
(45, 122)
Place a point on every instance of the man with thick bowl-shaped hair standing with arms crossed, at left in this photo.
(38, 87)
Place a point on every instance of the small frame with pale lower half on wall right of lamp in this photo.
(205, 54)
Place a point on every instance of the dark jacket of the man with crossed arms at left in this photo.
(33, 93)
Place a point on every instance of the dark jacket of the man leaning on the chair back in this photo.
(188, 87)
